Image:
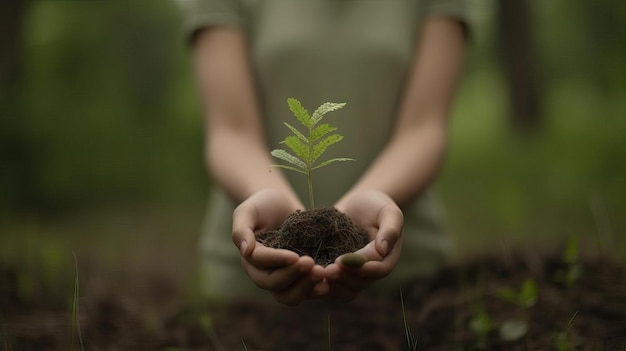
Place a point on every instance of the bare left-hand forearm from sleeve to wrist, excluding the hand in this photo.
(237, 155)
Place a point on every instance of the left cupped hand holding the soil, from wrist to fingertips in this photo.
(287, 276)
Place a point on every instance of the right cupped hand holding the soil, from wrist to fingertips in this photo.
(379, 215)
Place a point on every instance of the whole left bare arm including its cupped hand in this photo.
(239, 161)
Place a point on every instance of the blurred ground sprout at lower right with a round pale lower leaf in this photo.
(524, 298)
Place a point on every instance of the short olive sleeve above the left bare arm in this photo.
(200, 14)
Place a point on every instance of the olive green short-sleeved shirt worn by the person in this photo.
(353, 51)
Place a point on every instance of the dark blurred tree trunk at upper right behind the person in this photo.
(517, 51)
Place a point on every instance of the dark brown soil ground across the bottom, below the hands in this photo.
(587, 312)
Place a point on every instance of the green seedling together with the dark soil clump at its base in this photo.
(321, 233)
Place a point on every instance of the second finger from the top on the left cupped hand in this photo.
(278, 279)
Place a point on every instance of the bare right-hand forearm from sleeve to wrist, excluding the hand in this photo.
(416, 149)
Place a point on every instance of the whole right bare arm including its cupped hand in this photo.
(414, 153)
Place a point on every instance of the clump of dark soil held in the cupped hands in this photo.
(321, 233)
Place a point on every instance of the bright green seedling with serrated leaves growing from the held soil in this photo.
(307, 147)
